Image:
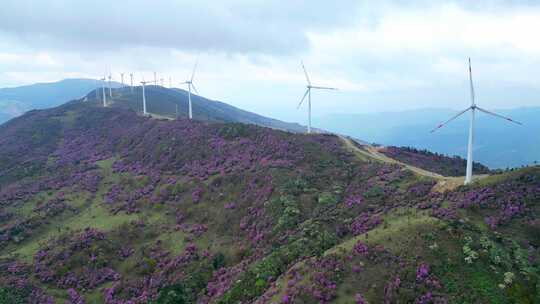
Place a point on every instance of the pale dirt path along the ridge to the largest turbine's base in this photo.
(444, 183)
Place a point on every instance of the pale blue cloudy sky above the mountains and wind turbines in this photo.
(382, 55)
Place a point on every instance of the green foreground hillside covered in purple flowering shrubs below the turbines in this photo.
(100, 205)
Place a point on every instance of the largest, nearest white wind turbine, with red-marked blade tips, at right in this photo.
(472, 108)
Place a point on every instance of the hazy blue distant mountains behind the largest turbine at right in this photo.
(498, 144)
